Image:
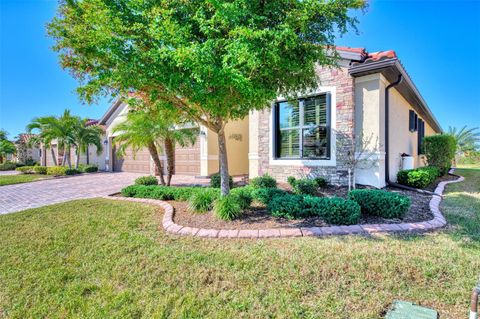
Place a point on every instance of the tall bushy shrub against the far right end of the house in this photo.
(440, 151)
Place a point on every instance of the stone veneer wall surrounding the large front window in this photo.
(344, 83)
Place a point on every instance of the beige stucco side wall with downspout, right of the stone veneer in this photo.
(370, 121)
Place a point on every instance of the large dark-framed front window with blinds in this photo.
(303, 128)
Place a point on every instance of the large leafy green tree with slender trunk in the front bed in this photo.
(213, 60)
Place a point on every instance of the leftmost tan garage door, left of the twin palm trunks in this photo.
(140, 163)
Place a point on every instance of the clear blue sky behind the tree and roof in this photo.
(438, 42)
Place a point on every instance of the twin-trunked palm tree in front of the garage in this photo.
(154, 128)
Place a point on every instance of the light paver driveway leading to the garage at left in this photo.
(18, 197)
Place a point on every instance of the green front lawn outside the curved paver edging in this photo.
(100, 258)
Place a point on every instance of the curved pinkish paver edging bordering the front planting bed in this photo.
(170, 227)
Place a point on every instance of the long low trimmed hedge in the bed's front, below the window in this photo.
(333, 210)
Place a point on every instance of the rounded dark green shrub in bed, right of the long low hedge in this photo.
(381, 203)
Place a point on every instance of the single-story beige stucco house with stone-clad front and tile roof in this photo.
(367, 95)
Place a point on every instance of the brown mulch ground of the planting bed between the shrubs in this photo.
(258, 218)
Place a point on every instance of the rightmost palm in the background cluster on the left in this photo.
(84, 136)
